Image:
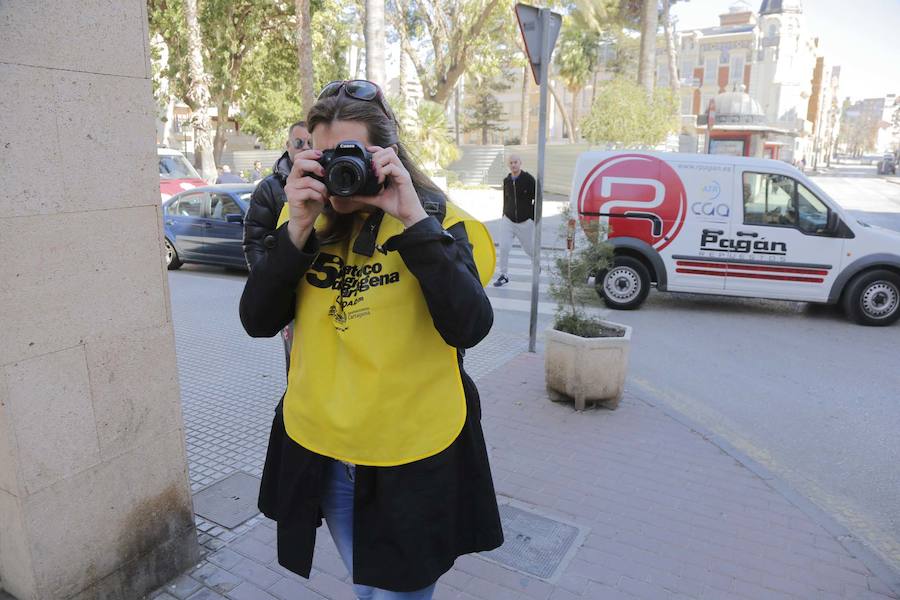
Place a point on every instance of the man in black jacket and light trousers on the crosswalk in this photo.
(518, 214)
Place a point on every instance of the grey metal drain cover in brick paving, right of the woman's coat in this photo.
(533, 544)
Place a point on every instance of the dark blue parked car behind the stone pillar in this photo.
(206, 225)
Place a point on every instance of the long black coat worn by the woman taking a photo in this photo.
(410, 521)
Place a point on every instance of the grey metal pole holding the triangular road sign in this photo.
(539, 192)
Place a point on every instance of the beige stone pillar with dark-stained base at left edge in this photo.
(94, 494)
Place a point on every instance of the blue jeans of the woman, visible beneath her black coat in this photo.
(337, 506)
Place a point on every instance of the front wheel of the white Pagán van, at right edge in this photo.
(873, 298)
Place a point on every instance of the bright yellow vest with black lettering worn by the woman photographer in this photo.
(371, 380)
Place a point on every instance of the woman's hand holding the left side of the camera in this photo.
(306, 196)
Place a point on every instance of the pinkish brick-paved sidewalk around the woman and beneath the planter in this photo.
(667, 514)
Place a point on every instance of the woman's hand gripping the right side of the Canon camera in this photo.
(399, 199)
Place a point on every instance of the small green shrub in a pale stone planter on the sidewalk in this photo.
(585, 357)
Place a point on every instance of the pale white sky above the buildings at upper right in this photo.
(859, 35)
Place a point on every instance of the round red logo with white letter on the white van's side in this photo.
(635, 195)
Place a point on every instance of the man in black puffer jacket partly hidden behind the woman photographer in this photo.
(268, 197)
